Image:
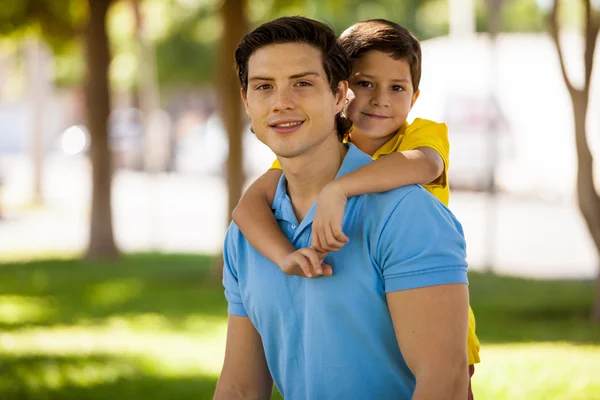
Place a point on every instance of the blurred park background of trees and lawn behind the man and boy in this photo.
(124, 147)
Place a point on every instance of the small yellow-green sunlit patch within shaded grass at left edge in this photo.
(19, 309)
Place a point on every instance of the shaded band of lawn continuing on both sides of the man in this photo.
(175, 287)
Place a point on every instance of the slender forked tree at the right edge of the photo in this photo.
(588, 198)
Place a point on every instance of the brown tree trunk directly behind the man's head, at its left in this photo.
(235, 26)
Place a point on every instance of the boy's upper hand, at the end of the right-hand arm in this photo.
(327, 232)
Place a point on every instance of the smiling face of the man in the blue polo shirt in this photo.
(289, 100)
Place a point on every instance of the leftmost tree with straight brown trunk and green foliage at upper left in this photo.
(59, 23)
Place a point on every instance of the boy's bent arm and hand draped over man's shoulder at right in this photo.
(419, 166)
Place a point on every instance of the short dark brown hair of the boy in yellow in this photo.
(385, 36)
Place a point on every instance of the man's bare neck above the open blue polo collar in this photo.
(307, 174)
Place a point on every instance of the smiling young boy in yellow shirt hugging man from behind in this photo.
(385, 82)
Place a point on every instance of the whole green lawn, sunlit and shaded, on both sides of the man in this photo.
(152, 327)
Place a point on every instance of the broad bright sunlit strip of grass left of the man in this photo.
(163, 353)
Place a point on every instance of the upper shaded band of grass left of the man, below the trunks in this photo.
(173, 286)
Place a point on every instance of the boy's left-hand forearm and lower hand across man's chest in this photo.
(255, 219)
